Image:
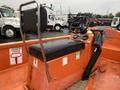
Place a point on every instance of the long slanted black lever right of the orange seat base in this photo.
(98, 40)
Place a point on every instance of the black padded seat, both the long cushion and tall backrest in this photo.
(53, 49)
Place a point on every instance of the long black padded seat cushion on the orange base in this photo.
(57, 48)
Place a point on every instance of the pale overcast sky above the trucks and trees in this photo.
(94, 6)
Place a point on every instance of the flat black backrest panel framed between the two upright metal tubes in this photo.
(29, 20)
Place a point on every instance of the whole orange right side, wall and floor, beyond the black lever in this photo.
(107, 72)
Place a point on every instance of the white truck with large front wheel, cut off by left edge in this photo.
(9, 24)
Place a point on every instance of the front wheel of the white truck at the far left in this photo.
(10, 32)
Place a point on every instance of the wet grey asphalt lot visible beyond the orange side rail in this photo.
(43, 35)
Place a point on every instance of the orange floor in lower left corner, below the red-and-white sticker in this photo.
(14, 78)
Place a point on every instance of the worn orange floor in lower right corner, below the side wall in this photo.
(107, 77)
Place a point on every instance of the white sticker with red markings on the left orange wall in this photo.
(15, 56)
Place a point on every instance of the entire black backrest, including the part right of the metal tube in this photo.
(29, 20)
